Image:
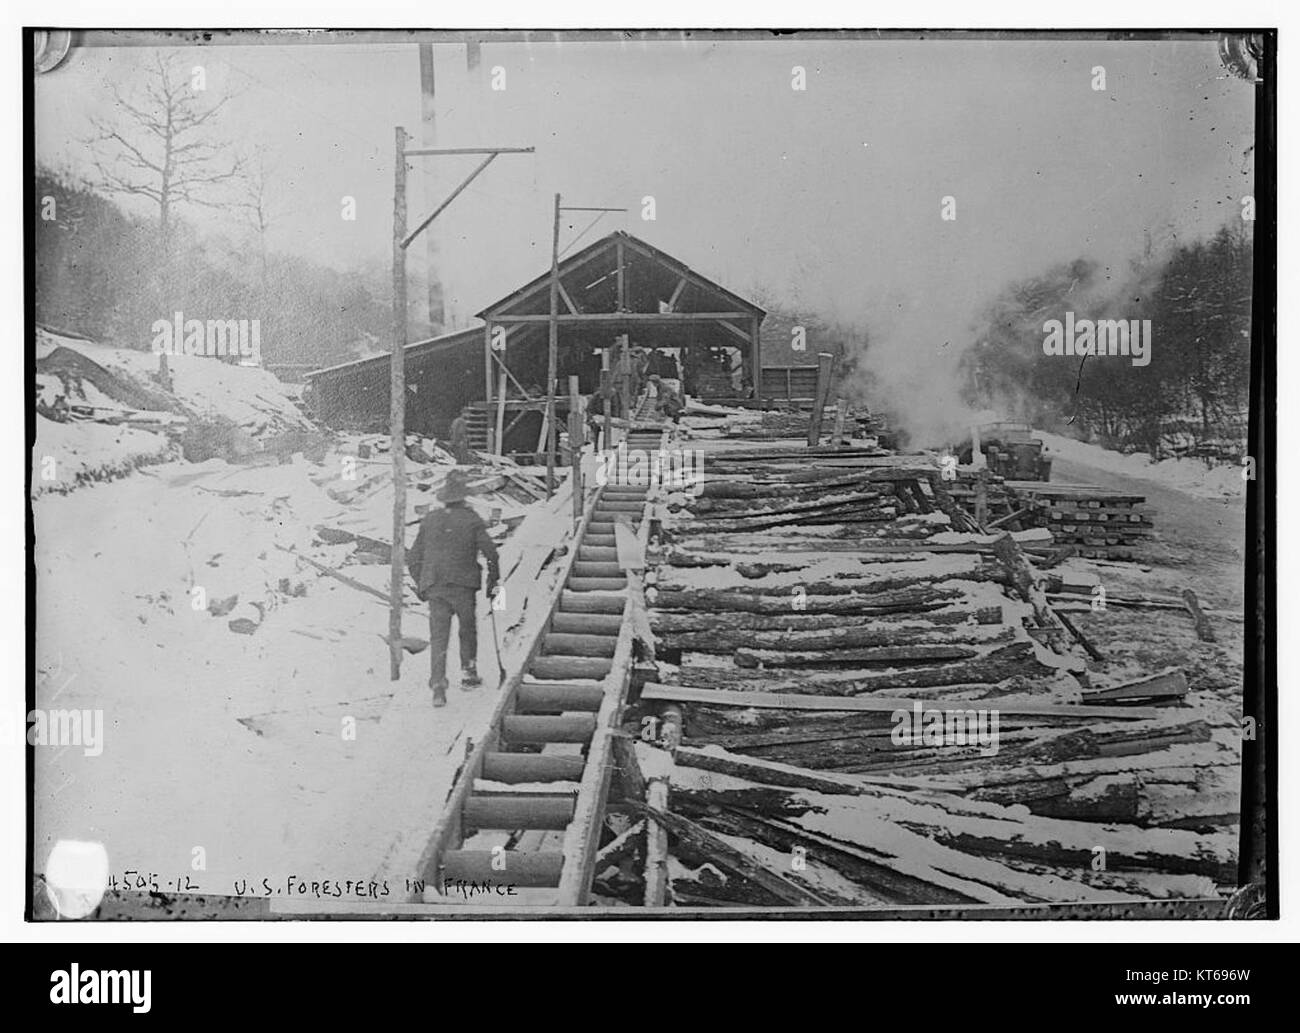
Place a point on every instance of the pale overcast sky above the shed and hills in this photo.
(829, 197)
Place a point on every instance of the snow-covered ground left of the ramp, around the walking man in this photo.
(250, 726)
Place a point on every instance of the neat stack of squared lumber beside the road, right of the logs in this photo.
(1099, 523)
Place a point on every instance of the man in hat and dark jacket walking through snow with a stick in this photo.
(445, 566)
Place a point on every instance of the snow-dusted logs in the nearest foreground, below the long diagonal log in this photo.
(736, 826)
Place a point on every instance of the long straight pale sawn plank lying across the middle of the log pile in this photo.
(877, 705)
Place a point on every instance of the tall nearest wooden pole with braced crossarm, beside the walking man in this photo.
(402, 240)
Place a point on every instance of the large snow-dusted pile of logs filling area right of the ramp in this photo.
(786, 648)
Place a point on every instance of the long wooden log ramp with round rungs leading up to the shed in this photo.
(523, 819)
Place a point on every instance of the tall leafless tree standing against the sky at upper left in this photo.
(163, 146)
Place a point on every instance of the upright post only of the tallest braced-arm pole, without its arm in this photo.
(397, 409)
